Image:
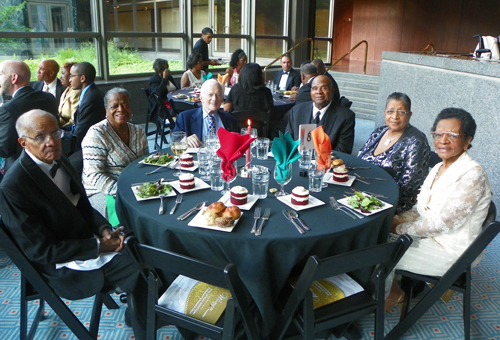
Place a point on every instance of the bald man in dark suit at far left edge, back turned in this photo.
(15, 81)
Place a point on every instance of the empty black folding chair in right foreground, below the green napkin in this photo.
(298, 319)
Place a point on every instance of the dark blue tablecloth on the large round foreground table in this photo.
(264, 262)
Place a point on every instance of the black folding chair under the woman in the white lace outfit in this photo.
(457, 278)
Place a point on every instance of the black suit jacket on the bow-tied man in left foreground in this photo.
(49, 228)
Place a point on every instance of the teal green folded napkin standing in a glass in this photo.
(285, 151)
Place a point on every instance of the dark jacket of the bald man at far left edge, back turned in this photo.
(26, 99)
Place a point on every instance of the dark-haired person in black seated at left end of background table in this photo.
(161, 83)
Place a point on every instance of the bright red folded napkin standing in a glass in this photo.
(232, 146)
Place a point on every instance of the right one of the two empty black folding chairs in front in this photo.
(382, 257)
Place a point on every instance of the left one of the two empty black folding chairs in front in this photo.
(237, 321)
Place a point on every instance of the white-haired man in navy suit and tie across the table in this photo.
(197, 123)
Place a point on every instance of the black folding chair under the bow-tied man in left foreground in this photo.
(34, 287)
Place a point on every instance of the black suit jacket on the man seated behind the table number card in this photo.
(338, 123)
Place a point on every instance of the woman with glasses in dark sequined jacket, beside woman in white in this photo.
(401, 149)
